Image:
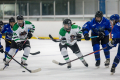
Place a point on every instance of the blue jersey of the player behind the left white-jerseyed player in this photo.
(8, 30)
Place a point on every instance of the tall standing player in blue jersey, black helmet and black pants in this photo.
(101, 27)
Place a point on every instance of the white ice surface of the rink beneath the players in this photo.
(50, 71)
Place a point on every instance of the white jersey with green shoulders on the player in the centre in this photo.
(75, 29)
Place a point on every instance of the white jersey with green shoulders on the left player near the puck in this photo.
(20, 33)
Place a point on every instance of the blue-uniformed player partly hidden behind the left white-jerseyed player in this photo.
(7, 28)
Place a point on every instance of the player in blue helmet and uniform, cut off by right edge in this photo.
(115, 40)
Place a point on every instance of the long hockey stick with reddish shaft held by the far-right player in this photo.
(54, 61)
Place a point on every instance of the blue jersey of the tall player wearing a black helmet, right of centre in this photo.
(96, 27)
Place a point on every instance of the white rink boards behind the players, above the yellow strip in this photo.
(44, 28)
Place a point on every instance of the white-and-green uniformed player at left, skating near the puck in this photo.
(20, 34)
